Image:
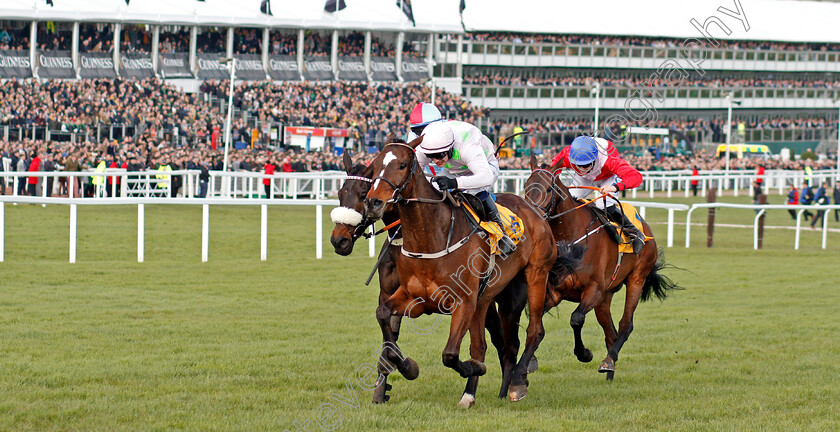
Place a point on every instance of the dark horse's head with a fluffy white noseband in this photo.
(349, 217)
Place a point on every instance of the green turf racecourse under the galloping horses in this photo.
(239, 344)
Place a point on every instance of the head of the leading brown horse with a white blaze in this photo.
(394, 171)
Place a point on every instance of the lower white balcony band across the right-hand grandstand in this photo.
(618, 98)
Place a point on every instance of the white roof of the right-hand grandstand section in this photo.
(775, 20)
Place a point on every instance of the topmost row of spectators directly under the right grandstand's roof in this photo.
(643, 41)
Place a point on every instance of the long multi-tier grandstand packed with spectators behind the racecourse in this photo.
(546, 71)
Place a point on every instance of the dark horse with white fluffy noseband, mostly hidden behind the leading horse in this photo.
(350, 223)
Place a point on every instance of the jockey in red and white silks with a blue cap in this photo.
(595, 162)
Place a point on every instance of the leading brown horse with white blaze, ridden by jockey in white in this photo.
(438, 245)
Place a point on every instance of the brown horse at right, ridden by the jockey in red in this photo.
(599, 276)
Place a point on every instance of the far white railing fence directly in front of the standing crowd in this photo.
(320, 185)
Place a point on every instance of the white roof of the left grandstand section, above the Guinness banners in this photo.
(433, 15)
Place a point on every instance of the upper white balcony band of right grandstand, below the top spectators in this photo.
(517, 54)
